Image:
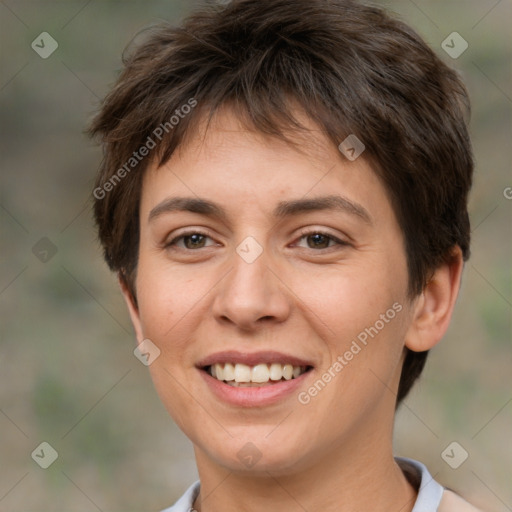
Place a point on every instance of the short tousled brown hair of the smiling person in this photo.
(352, 68)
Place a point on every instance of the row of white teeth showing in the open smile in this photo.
(243, 375)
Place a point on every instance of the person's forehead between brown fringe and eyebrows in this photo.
(229, 164)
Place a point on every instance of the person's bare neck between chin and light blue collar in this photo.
(360, 475)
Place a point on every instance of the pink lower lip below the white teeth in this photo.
(253, 396)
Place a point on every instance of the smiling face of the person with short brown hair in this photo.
(274, 283)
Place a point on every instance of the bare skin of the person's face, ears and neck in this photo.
(295, 298)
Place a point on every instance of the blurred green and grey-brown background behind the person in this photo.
(68, 375)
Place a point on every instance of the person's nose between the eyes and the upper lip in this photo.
(252, 295)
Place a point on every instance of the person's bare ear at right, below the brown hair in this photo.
(434, 307)
